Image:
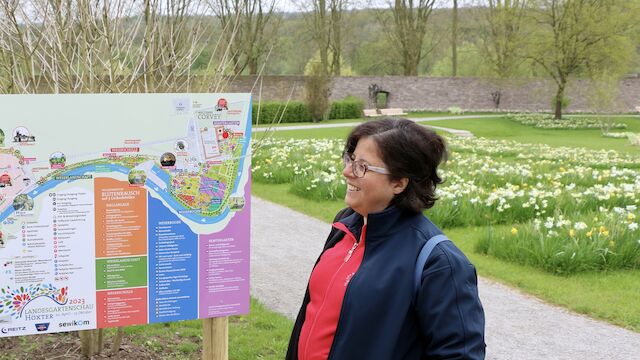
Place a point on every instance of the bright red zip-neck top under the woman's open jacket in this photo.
(327, 286)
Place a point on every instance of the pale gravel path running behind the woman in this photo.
(285, 245)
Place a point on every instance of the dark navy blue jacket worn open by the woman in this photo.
(380, 319)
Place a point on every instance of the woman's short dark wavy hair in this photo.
(409, 151)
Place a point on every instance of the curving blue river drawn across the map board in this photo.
(164, 194)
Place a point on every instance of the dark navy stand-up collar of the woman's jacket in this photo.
(378, 224)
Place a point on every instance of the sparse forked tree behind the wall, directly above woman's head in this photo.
(408, 29)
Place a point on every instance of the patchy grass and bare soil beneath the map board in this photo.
(262, 334)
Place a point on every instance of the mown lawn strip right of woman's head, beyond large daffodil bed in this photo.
(500, 128)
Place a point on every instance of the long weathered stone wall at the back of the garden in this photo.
(428, 93)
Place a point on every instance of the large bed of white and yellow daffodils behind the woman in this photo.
(564, 210)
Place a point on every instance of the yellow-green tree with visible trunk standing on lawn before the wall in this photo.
(577, 36)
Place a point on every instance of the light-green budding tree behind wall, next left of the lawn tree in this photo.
(503, 37)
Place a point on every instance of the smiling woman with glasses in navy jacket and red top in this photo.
(362, 301)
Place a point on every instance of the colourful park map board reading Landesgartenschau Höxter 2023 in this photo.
(160, 182)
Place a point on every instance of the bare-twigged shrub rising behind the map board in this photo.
(116, 46)
